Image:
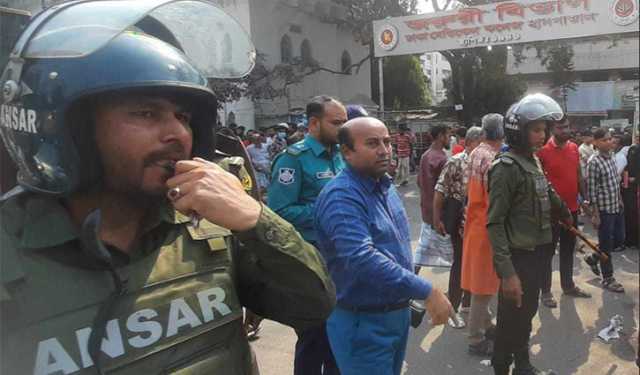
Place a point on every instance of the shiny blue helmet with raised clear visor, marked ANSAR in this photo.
(72, 54)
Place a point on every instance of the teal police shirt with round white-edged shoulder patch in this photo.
(297, 176)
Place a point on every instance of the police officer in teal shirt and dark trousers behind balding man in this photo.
(298, 175)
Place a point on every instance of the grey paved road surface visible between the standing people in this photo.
(563, 338)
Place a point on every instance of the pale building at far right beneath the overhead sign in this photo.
(606, 71)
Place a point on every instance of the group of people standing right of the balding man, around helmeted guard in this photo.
(593, 173)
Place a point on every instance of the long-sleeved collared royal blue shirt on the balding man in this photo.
(363, 235)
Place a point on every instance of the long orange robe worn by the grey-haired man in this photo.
(478, 274)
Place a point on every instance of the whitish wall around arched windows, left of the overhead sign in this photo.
(271, 20)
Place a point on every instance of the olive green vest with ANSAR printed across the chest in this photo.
(180, 313)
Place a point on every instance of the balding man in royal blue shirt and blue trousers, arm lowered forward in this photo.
(363, 235)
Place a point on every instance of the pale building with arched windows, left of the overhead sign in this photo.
(308, 31)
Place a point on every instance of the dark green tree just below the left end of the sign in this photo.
(405, 84)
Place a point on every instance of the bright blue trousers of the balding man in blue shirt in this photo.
(369, 343)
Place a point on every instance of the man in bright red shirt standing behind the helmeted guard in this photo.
(561, 163)
